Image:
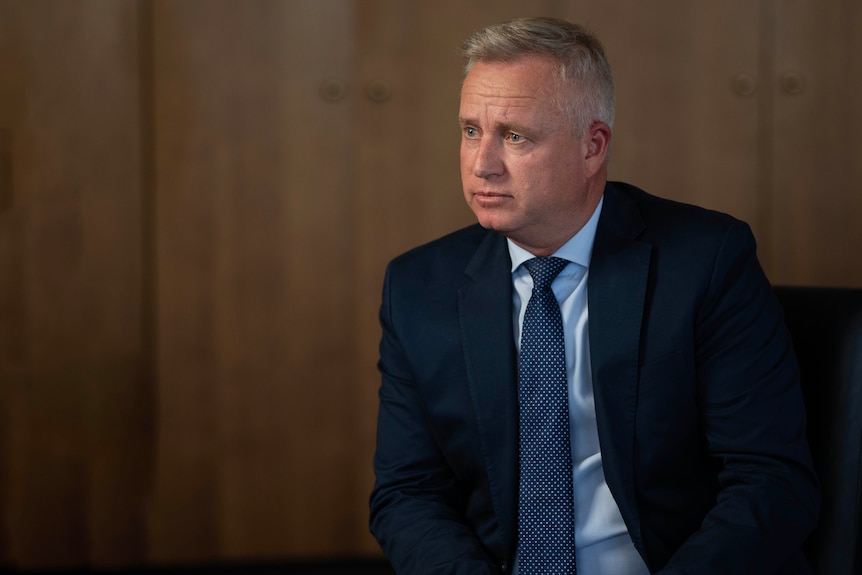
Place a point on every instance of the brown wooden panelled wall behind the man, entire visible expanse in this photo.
(198, 199)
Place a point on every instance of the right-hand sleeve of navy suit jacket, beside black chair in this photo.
(753, 420)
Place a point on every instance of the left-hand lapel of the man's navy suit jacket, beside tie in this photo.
(485, 316)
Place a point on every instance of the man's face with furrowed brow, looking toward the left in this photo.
(524, 172)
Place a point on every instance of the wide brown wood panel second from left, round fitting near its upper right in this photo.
(256, 352)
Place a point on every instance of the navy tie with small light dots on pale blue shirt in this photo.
(546, 532)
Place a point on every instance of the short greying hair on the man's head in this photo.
(578, 53)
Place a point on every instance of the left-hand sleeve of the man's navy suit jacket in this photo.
(417, 502)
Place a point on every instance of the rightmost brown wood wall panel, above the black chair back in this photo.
(817, 140)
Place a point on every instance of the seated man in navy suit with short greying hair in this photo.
(683, 424)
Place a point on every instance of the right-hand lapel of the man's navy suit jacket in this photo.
(617, 288)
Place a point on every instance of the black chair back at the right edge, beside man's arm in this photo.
(826, 327)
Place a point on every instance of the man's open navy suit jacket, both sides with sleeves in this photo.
(699, 410)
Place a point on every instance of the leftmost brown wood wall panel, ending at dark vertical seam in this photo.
(75, 405)
